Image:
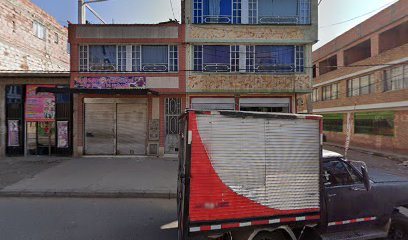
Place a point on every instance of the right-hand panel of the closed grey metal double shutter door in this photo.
(131, 128)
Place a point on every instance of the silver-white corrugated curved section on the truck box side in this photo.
(274, 162)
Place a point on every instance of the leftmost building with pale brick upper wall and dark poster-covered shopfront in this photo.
(33, 51)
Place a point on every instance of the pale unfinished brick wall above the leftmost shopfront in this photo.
(20, 49)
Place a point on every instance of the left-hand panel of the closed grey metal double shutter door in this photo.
(100, 128)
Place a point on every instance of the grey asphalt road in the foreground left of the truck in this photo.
(88, 219)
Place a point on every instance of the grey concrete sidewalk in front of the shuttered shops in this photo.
(102, 177)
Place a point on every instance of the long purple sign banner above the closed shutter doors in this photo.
(110, 83)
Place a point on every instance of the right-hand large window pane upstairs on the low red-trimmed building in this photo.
(155, 58)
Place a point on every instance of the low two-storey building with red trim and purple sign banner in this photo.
(129, 85)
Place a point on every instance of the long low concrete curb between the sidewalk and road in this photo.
(37, 194)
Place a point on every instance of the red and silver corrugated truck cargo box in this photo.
(241, 169)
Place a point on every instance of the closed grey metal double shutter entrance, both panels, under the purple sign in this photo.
(115, 126)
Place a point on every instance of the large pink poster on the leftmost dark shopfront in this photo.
(40, 107)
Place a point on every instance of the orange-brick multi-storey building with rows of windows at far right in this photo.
(372, 86)
